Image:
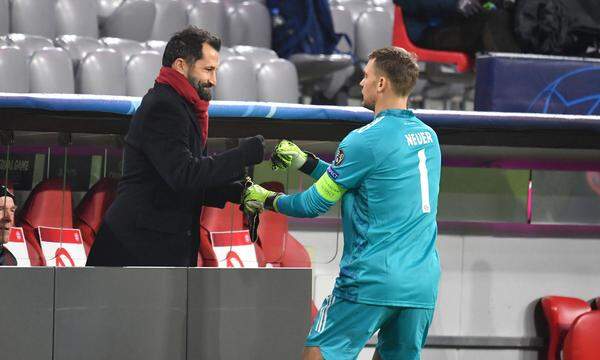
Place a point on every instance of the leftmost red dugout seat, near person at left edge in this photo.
(43, 208)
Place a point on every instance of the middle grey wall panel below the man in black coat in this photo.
(115, 313)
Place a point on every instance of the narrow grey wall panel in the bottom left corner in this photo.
(27, 296)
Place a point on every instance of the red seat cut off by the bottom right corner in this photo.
(582, 342)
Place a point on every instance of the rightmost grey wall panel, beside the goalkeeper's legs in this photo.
(266, 312)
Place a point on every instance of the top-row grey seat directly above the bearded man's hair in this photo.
(209, 15)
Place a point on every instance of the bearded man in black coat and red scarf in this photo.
(167, 177)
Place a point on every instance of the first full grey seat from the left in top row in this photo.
(33, 17)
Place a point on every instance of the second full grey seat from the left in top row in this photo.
(77, 17)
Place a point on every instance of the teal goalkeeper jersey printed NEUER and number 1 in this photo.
(391, 170)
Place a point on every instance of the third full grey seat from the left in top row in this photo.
(132, 19)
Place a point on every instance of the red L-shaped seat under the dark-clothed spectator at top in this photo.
(462, 61)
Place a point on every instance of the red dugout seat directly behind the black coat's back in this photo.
(90, 211)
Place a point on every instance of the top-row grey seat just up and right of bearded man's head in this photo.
(249, 23)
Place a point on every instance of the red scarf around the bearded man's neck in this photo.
(183, 87)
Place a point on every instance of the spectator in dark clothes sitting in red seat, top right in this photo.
(460, 25)
